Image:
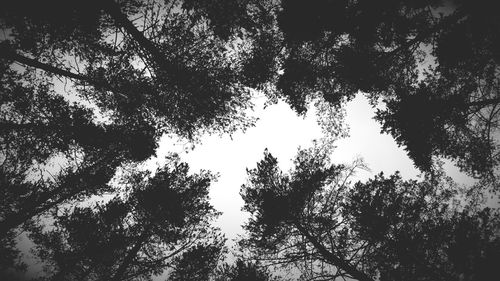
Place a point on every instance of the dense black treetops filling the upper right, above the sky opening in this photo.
(432, 65)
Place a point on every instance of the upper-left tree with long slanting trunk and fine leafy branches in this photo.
(149, 71)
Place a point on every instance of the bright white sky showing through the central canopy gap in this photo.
(281, 131)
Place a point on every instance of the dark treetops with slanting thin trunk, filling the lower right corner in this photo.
(314, 219)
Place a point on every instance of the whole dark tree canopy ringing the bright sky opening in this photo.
(89, 88)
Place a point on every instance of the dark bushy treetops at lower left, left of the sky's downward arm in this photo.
(162, 220)
